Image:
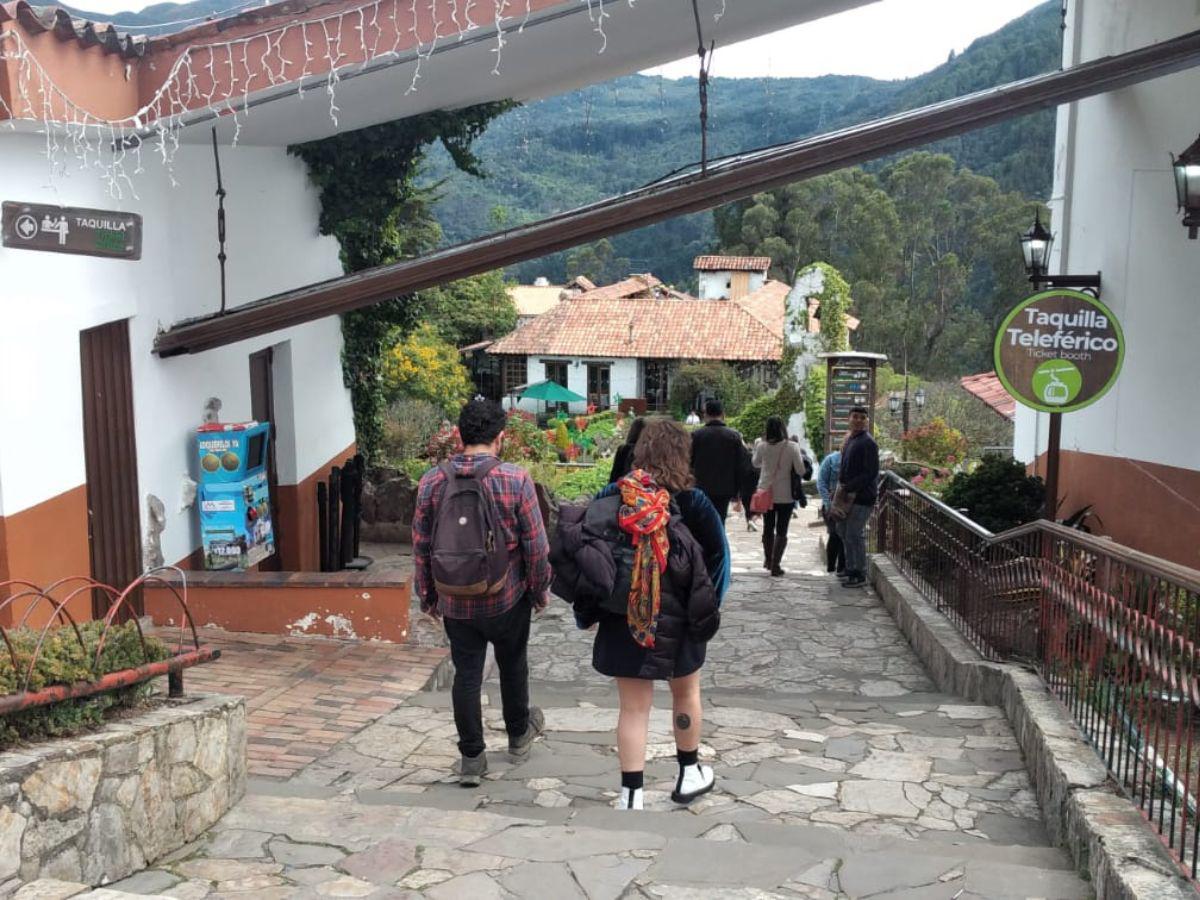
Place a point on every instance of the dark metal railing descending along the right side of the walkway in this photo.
(1114, 633)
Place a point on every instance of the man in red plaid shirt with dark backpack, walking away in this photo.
(483, 566)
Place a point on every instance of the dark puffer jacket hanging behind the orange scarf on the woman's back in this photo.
(586, 557)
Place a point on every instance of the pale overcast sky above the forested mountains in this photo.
(891, 39)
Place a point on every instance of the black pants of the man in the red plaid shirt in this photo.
(509, 634)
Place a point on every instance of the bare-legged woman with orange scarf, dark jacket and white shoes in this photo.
(633, 566)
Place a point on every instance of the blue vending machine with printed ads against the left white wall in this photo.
(233, 497)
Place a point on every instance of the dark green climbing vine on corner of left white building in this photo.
(371, 203)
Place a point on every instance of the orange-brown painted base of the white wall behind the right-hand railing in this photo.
(1144, 506)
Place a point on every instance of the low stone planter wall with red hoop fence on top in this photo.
(99, 807)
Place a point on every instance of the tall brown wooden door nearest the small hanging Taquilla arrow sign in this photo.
(111, 459)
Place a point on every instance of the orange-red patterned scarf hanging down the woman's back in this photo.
(644, 515)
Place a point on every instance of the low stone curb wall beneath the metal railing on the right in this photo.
(1106, 835)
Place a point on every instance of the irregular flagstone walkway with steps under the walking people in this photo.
(843, 773)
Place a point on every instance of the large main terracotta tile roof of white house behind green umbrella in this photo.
(649, 329)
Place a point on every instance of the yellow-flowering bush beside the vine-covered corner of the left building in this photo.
(423, 367)
